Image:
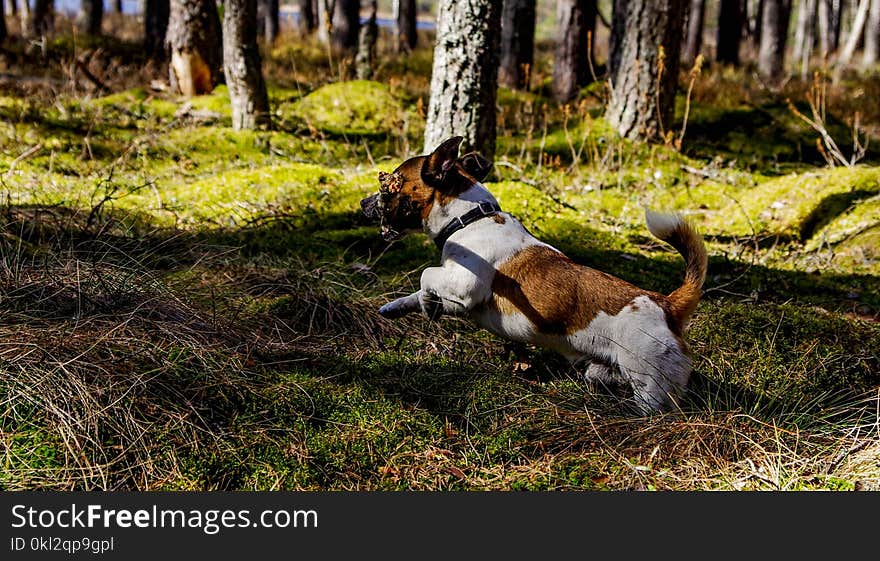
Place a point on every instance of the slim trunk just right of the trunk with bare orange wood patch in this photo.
(242, 67)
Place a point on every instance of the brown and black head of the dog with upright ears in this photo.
(407, 194)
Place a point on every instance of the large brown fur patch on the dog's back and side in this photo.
(559, 296)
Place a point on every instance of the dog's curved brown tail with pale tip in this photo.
(681, 234)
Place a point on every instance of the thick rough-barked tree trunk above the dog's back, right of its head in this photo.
(642, 105)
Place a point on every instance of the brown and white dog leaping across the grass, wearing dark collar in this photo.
(493, 270)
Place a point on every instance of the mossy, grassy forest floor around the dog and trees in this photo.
(189, 307)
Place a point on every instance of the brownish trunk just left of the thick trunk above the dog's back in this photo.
(575, 28)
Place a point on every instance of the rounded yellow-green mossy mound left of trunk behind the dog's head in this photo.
(361, 108)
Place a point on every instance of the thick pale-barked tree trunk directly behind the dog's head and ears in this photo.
(464, 77)
